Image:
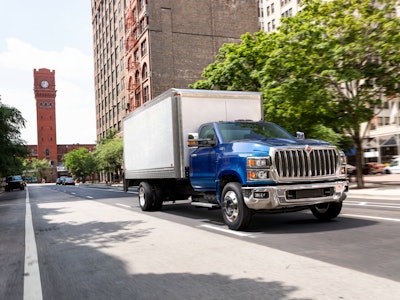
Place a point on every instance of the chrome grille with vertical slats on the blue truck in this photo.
(299, 163)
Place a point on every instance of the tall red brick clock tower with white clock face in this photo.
(45, 95)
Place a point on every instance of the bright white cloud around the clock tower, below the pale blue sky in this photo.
(75, 105)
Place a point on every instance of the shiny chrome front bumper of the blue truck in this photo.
(296, 195)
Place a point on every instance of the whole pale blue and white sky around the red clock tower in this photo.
(55, 35)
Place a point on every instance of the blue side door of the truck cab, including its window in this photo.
(203, 163)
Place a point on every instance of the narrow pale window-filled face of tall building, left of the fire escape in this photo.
(109, 64)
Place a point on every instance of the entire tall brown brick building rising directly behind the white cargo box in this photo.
(144, 47)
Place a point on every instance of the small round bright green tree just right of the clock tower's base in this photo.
(80, 162)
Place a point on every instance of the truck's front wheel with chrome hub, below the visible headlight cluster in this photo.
(234, 211)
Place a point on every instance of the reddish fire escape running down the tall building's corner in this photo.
(131, 61)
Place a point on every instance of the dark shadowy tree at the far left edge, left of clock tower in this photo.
(12, 148)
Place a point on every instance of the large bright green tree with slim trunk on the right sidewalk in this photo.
(347, 52)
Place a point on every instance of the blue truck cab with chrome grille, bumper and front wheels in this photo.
(259, 166)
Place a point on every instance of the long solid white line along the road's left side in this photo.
(32, 284)
